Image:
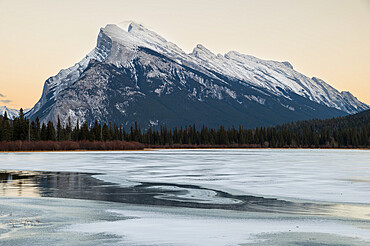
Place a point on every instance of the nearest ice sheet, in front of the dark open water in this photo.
(82, 222)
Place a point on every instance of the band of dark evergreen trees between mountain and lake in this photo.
(348, 132)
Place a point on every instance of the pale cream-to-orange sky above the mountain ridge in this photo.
(329, 39)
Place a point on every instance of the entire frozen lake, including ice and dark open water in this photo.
(187, 197)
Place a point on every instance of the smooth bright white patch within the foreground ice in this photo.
(166, 228)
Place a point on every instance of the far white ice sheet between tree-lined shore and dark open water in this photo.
(321, 175)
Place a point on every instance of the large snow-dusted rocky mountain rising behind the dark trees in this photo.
(136, 75)
